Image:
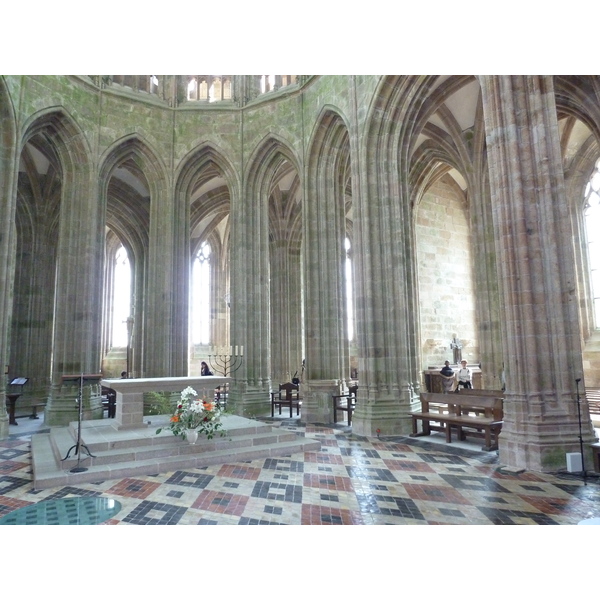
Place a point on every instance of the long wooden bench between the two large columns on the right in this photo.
(467, 413)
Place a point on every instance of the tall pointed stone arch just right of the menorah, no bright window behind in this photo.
(272, 211)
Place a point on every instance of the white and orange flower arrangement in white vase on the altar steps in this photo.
(196, 414)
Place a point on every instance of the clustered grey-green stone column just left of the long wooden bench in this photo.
(386, 307)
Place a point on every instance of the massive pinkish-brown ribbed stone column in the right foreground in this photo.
(542, 350)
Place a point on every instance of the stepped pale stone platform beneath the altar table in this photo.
(117, 454)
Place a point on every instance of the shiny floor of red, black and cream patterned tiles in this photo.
(350, 481)
